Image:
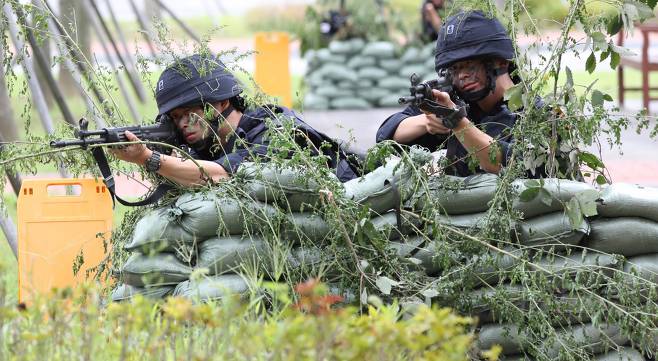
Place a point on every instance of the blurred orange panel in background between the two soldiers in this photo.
(272, 72)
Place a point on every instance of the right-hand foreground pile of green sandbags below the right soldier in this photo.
(544, 242)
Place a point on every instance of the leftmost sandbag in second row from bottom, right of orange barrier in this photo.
(154, 270)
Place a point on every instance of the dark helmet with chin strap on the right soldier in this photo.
(473, 35)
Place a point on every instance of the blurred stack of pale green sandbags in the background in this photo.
(355, 74)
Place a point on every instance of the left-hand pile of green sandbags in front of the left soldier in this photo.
(217, 233)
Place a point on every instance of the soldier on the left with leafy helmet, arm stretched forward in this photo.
(203, 99)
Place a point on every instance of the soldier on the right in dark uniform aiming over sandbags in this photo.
(478, 53)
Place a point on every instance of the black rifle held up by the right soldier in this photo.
(422, 98)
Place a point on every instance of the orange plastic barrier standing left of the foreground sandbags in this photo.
(59, 220)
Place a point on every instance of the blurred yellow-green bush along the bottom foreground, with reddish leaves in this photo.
(71, 325)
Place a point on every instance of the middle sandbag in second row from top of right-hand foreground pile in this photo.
(552, 229)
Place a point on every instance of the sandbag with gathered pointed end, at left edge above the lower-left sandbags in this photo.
(156, 231)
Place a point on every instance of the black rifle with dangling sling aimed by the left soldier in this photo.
(163, 131)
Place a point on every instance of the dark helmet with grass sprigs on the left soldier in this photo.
(195, 80)
